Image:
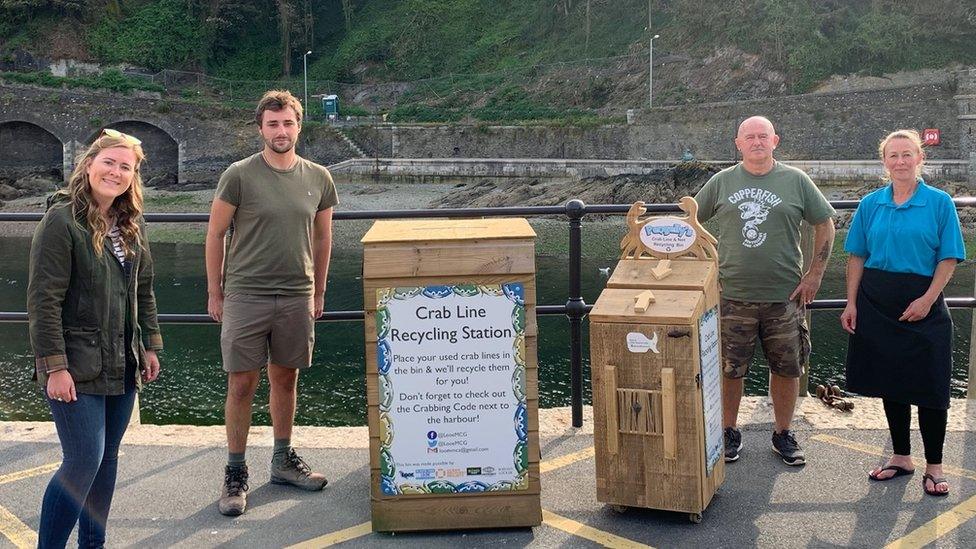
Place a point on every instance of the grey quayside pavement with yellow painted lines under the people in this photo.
(169, 478)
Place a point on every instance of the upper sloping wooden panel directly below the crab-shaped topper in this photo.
(686, 274)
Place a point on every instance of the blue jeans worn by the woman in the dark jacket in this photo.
(90, 430)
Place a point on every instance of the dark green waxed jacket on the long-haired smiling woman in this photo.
(76, 305)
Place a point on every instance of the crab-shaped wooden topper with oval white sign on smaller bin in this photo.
(667, 237)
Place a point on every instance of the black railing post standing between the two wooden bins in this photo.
(576, 308)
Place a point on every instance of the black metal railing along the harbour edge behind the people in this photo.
(575, 307)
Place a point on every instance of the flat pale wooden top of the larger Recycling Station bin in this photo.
(446, 230)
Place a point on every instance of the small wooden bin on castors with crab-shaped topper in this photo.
(655, 359)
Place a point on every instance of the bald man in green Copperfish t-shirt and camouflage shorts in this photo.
(758, 205)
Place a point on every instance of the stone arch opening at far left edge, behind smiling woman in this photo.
(31, 159)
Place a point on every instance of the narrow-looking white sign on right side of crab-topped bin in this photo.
(711, 372)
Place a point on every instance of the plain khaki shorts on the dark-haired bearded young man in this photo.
(258, 327)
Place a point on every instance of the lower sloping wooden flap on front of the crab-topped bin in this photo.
(669, 307)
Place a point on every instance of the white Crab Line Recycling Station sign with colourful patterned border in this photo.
(451, 363)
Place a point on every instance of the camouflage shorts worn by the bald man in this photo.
(782, 327)
